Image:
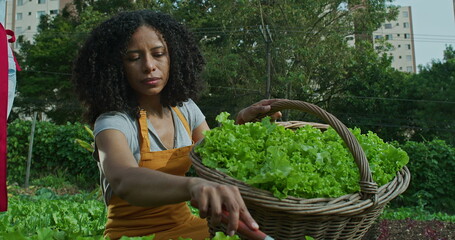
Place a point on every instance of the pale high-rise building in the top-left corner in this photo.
(23, 16)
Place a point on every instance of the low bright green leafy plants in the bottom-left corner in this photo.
(67, 215)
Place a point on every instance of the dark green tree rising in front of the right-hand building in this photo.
(371, 96)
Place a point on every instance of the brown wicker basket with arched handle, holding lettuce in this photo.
(346, 217)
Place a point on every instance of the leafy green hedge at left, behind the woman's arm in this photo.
(54, 150)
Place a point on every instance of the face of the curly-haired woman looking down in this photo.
(146, 62)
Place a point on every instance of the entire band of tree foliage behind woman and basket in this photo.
(311, 59)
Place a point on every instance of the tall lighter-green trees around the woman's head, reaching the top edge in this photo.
(305, 40)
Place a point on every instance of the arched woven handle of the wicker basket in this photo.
(368, 187)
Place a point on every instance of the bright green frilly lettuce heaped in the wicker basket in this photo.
(306, 163)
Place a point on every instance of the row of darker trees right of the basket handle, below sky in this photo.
(398, 106)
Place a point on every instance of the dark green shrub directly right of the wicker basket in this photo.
(432, 166)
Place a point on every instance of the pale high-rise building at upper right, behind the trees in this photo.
(399, 34)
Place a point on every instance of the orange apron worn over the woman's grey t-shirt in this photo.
(166, 222)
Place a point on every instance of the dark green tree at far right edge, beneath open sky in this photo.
(433, 115)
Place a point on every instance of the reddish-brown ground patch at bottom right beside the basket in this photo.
(411, 229)
